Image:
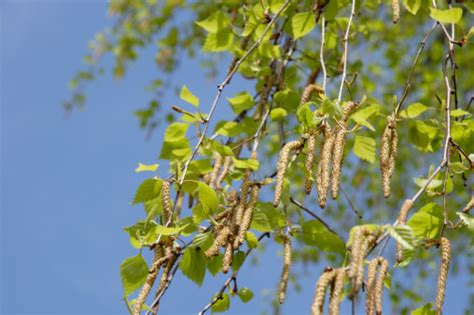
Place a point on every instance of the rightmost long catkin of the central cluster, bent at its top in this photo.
(338, 149)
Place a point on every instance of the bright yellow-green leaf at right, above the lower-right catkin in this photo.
(427, 222)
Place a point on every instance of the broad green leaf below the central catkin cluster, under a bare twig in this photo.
(315, 233)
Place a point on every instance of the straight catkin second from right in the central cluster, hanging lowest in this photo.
(323, 178)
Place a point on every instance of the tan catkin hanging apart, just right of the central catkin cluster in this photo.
(388, 154)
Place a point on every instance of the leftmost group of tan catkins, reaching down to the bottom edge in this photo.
(166, 254)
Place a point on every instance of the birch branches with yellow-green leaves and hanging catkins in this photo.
(341, 109)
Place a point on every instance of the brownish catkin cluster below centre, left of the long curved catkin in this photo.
(233, 223)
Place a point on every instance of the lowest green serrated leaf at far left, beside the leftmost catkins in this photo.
(133, 272)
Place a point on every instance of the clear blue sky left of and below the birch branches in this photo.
(67, 184)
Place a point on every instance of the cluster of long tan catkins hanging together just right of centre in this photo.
(331, 155)
